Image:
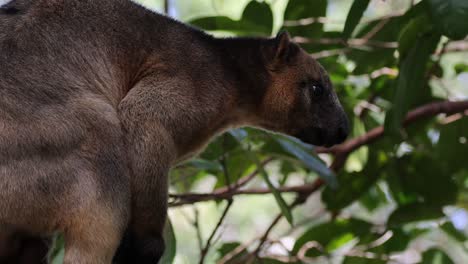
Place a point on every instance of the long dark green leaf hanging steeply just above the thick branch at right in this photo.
(411, 80)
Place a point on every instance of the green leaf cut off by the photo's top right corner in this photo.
(450, 16)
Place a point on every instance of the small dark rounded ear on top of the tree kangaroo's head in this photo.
(282, 50)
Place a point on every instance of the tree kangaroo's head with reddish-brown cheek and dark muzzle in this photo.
(300, 100)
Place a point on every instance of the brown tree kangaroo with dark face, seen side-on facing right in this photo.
(98, 99)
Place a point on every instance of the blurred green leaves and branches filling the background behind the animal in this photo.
(395, 192)
